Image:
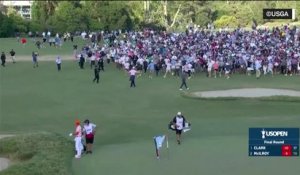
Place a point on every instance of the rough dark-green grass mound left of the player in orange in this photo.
(40, 153)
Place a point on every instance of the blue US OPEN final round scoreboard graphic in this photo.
(274, 142)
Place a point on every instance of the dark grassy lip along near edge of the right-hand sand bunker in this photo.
(277, 98)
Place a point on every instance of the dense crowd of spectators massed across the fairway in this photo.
(271, 51)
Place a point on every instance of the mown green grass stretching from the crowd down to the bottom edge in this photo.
(42, 99)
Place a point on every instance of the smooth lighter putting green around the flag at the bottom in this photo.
(204, 155)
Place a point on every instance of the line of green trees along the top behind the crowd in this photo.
(71, 16)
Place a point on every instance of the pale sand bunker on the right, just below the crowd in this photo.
(247, 92)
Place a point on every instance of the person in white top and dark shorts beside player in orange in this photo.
(89, 131)
